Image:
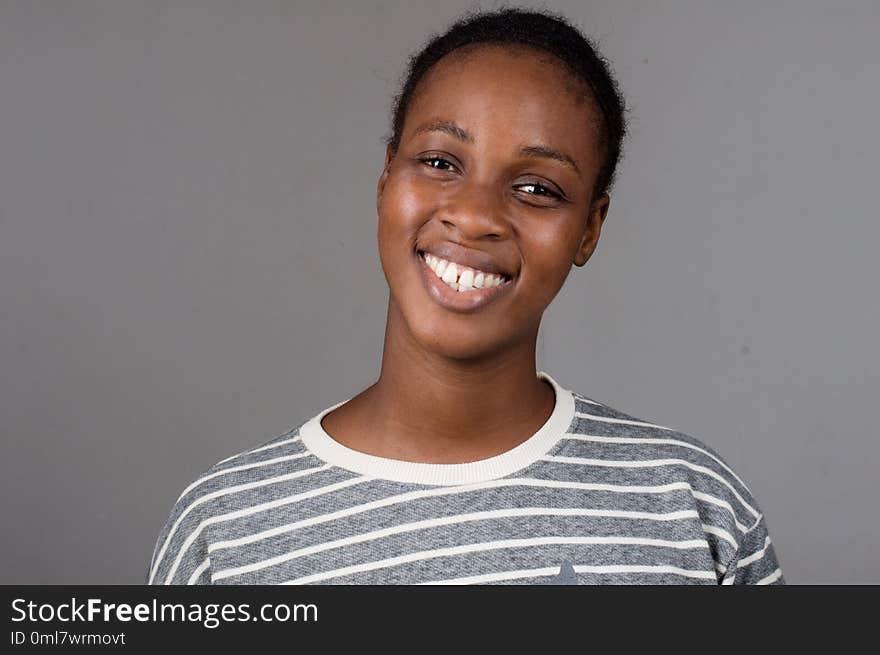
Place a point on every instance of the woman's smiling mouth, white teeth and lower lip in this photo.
(460, 288)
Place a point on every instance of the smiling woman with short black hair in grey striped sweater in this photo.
(462, 463)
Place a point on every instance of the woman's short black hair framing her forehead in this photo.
(544, 30)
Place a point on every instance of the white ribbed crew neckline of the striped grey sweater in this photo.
(321, 444)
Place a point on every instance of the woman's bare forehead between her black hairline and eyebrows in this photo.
(515, 92)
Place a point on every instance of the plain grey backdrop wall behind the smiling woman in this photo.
(188, 261)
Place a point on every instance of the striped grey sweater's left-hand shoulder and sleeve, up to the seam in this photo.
(233, 485)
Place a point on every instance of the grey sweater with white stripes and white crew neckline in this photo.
(593, 497)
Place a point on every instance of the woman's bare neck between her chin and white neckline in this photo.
(429, 407)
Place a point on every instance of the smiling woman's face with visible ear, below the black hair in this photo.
(494, 172)
